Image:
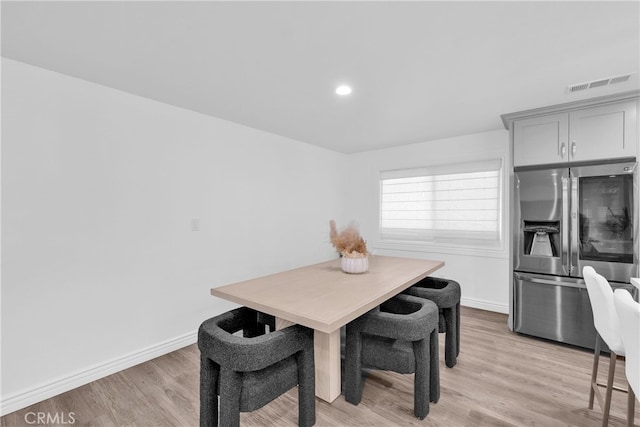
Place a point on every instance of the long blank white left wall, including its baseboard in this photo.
(100, 268)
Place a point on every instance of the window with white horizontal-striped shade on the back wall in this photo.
(458, 203)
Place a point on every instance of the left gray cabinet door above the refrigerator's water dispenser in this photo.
(540, 140)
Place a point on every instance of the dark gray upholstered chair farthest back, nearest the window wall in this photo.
(446, 294)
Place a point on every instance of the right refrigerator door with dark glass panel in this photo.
(604, 220)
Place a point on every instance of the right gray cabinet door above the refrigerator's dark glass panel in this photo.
(605, 132)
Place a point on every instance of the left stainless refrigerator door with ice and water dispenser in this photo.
(541, 221)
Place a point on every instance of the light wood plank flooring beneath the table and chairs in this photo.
(501, 379)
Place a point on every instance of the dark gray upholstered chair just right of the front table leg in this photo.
(400, 335)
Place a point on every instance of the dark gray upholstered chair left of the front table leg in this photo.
(249, 371)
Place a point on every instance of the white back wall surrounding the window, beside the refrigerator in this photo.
(483, 274)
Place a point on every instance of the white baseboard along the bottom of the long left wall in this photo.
(45, 391)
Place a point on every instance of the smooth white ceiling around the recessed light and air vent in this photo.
(420, 71)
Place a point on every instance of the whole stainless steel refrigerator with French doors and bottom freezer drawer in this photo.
(564, 219)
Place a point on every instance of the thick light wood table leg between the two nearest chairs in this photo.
(327, 361)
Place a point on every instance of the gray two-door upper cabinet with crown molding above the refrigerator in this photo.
(575, 132)
